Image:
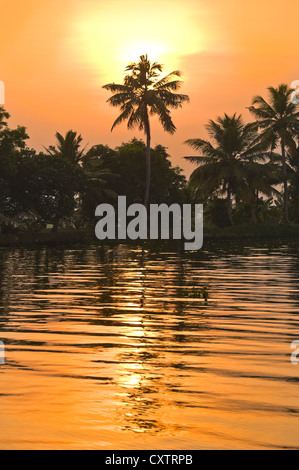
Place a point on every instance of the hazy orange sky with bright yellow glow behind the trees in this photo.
(56, 54)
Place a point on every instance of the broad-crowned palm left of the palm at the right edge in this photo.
(224, 163)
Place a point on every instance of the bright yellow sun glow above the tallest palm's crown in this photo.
(107, 43)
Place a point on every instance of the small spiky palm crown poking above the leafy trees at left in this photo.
(68, 147)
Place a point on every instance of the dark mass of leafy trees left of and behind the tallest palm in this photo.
(63, 185)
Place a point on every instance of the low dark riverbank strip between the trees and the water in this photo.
(71, 237)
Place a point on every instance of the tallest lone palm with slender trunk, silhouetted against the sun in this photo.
(143, 94)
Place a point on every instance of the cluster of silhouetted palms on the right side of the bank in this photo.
(247, 163)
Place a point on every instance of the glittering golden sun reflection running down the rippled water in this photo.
(140, 371)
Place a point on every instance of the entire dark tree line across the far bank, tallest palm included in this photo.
(244, 171)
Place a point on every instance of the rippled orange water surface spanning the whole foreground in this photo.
(105, 349)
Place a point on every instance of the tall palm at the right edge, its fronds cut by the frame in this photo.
(278, 121)
